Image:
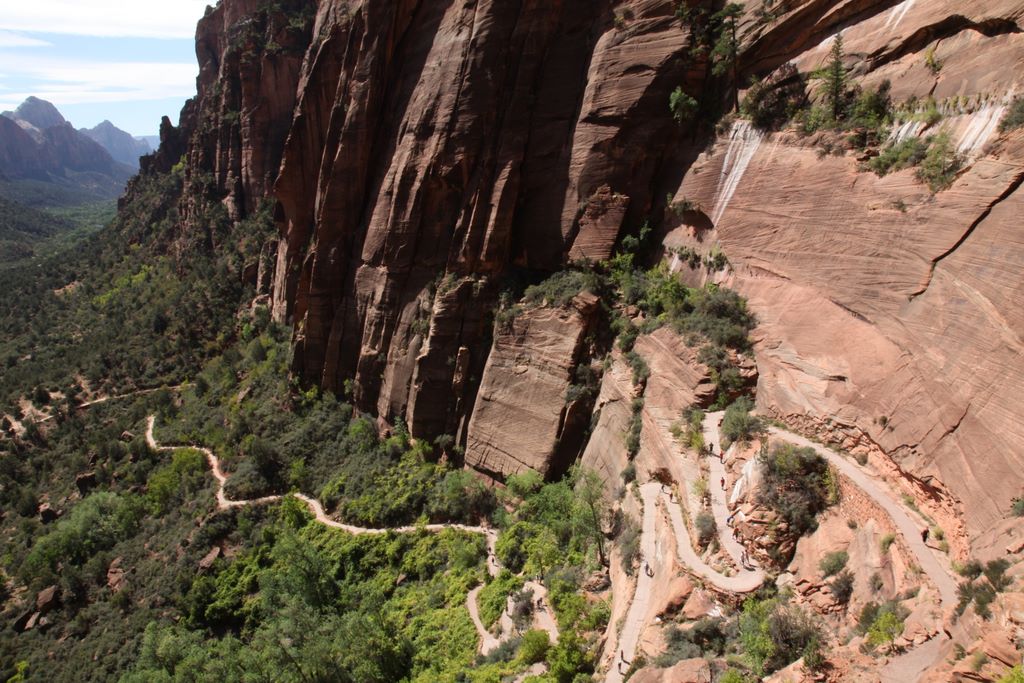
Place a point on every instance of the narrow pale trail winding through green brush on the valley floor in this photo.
(543, 618)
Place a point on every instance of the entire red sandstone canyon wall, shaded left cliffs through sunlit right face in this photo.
(423, 157)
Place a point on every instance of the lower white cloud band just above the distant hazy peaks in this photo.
(77, 82)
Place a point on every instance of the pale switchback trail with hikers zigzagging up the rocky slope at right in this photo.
(904, 669)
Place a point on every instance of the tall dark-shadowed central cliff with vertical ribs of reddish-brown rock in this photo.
(461, 138)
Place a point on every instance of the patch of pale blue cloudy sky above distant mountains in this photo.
(131, 62)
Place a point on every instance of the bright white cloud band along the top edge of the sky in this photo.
(144, 19)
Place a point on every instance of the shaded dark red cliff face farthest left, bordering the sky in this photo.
(250, 55)
